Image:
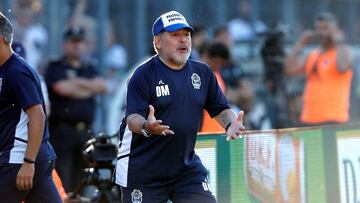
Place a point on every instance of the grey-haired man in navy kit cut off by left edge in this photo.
(26, 156)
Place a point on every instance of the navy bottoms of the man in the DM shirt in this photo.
(190, 188)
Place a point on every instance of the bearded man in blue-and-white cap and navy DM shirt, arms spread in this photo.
(165, 100)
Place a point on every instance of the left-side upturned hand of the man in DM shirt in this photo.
(154, 126)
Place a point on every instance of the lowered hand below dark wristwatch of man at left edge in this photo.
(24, 178)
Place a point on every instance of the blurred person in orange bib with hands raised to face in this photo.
(328, 71)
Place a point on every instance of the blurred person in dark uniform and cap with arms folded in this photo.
(73, 84)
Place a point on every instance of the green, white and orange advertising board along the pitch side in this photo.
(292, 165)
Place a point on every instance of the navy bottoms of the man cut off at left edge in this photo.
(43, 191)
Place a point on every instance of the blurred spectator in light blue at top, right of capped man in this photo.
(245, 28)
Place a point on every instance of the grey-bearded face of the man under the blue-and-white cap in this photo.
(174, 47)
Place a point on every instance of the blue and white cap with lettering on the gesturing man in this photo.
(170, 21)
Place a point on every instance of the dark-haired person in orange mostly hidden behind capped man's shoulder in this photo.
(216, 56)
